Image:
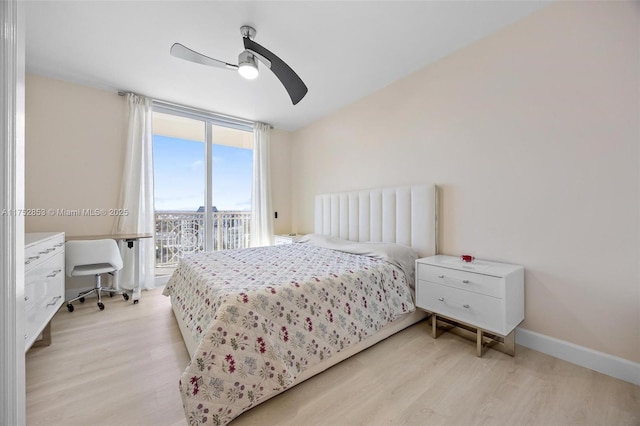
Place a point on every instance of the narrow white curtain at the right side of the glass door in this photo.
(261, 224)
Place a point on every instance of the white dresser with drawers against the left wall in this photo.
(44, 283)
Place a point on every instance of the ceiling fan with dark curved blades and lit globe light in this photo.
(247, 65)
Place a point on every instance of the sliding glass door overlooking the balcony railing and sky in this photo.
(202, 185)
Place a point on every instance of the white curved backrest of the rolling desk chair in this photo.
(85, 257)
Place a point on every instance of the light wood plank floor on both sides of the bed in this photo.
(121, 367)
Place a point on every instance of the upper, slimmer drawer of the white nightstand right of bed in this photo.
(477, 283)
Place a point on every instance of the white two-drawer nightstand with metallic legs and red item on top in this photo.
(480, 299)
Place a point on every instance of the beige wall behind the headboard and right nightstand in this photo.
(533, 136)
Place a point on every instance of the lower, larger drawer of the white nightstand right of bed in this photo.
(475, 309)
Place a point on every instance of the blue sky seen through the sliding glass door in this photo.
(179, 175)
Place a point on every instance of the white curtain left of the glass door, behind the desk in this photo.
(136, 194)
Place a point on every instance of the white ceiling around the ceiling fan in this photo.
(343, 50)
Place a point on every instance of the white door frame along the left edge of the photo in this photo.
(12, 123)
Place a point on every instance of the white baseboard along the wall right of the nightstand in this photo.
(598, 361)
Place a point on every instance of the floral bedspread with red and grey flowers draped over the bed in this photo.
(264, 315)
